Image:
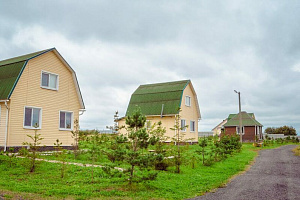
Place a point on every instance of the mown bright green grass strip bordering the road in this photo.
(46, 181)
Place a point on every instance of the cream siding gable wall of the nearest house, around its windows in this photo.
(29, 93)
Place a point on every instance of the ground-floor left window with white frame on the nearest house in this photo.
(32, 117)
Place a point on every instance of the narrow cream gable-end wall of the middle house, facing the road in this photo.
(189, 113)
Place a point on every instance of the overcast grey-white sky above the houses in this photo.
(221, 46)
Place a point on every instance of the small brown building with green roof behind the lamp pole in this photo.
(251, 128)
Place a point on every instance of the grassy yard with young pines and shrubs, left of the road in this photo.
(136, 166)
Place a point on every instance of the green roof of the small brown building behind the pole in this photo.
(247, 120)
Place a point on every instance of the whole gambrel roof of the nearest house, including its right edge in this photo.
(12, 69)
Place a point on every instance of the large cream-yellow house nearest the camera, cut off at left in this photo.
(38, 89)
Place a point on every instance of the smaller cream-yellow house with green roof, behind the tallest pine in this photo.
(161, 102)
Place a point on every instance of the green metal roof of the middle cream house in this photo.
(152, 97)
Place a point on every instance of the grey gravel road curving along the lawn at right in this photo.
(275, 175)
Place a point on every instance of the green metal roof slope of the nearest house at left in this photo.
(11, 70)
